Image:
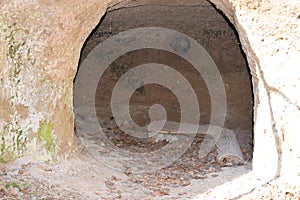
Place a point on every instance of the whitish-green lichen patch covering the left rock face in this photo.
(20, 93)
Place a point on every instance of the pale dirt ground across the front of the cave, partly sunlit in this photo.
(85, 178)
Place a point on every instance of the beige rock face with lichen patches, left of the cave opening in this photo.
(40, 47)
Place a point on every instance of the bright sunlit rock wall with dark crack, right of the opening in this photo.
(269, 34)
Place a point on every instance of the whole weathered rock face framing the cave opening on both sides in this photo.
(40, 48)
